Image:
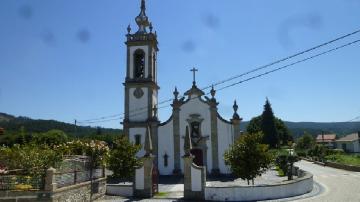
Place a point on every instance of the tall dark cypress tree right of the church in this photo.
(268, 126)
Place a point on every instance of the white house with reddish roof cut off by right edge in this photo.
(349, 143)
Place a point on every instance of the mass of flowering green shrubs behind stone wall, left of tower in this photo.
(30, 155)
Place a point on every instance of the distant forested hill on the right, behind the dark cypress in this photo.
(297, 128)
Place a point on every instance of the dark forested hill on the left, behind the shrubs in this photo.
(12, 124)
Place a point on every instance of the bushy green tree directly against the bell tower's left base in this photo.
(122, 160)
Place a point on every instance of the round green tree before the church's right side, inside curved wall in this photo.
(248, 158)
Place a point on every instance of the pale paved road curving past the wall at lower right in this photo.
(339, 185)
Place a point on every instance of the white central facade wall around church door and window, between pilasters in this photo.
(195, 106)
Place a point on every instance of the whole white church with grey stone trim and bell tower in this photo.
(211, 135)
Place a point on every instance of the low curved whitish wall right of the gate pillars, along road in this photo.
(302, 185)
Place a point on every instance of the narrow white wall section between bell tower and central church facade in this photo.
(166, 145)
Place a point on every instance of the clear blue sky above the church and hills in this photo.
(65, 60)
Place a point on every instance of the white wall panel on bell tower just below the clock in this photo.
(135, 114)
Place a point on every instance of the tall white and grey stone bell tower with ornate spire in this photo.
(141, 89)
